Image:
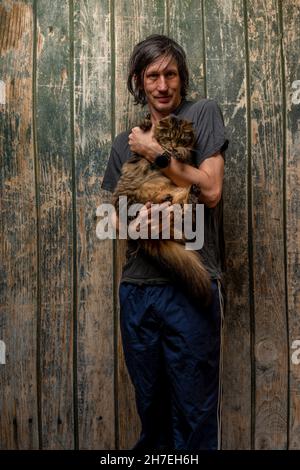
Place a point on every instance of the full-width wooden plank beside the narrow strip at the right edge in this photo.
(268, 230)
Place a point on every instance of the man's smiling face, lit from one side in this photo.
(162, 86)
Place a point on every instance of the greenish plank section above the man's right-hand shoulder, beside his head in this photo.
(186, 26)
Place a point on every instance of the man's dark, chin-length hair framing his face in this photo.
(146, 52)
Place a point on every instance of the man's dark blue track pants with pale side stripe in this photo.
(172, 352)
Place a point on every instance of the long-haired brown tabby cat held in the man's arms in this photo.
(141, 181)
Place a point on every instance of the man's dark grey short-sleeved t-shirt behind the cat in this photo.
(209, 129)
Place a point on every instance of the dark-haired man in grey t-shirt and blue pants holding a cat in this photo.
(172, 347)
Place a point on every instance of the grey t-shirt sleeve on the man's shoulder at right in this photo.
(210, 132)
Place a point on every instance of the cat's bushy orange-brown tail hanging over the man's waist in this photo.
(183, 266)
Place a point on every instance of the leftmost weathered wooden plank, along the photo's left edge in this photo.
(18, 250)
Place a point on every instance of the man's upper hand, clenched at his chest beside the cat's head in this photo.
(144, 143)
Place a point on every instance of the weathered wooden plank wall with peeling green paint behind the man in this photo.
(63, 98)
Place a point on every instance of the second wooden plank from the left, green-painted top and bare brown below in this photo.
(55, 225)
